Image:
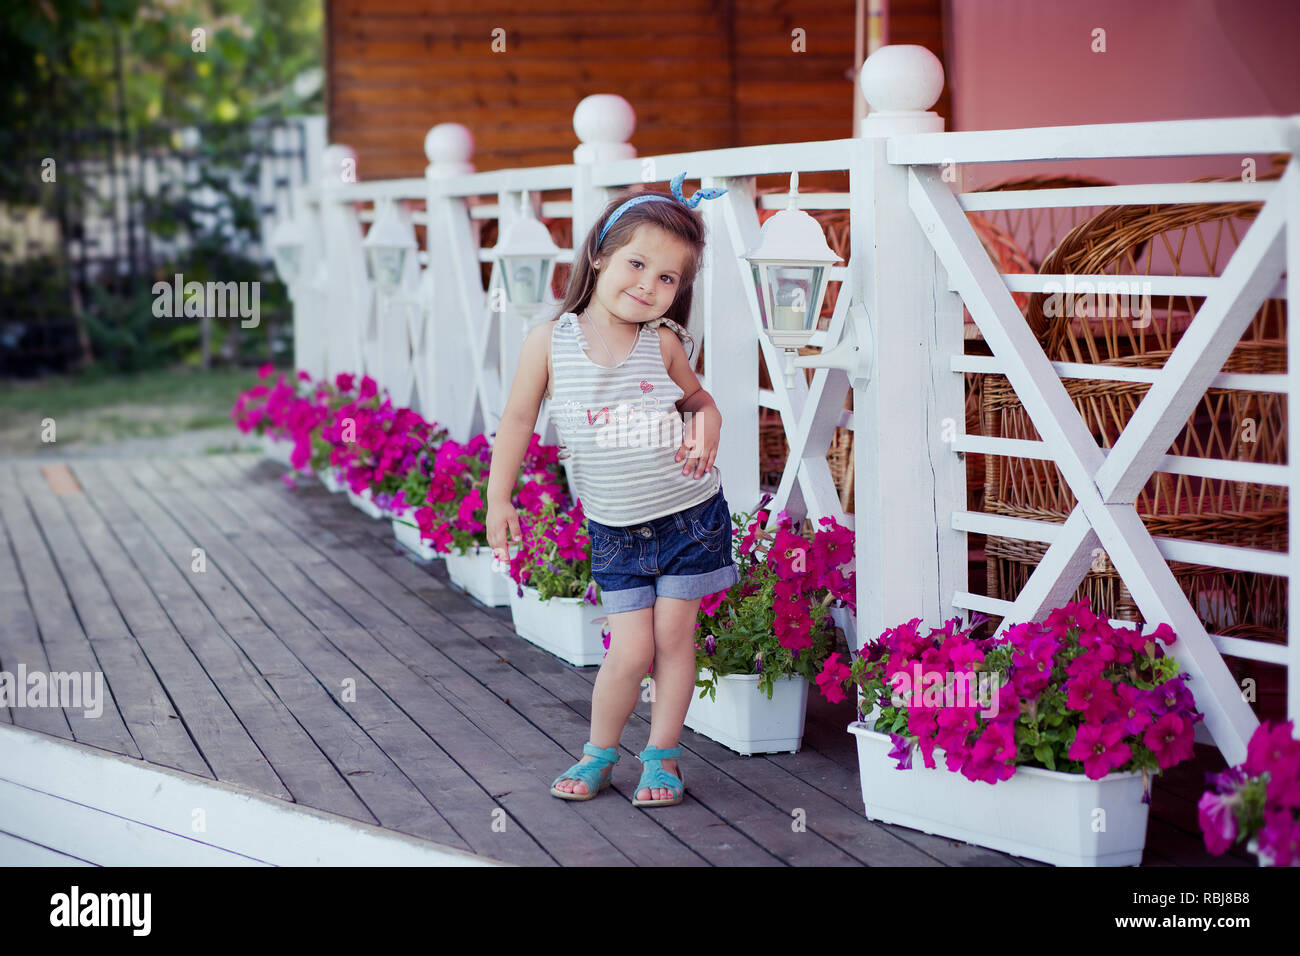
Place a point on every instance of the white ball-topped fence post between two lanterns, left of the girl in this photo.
(452, 289)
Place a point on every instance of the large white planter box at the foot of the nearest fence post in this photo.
(1038, 814)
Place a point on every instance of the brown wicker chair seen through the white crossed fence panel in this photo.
(1123, 241)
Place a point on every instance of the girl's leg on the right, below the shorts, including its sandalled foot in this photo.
(674, 678)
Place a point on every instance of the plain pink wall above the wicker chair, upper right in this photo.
(1029, 63)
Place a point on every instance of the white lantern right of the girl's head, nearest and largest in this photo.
(790, 270)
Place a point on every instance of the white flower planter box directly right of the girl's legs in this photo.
(746, 721)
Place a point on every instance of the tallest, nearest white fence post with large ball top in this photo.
(909, 560)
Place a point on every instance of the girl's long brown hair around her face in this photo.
(674, 218)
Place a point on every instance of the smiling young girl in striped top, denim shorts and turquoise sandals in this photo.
(621, 383)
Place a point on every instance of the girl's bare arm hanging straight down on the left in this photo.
(513, 436)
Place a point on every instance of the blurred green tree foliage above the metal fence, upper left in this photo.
(63, 58)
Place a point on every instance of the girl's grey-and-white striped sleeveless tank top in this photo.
(622, 430)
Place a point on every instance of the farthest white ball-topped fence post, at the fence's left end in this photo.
(349, 301)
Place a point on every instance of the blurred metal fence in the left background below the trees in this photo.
(98, 213)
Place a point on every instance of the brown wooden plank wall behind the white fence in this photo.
(701, 75)
